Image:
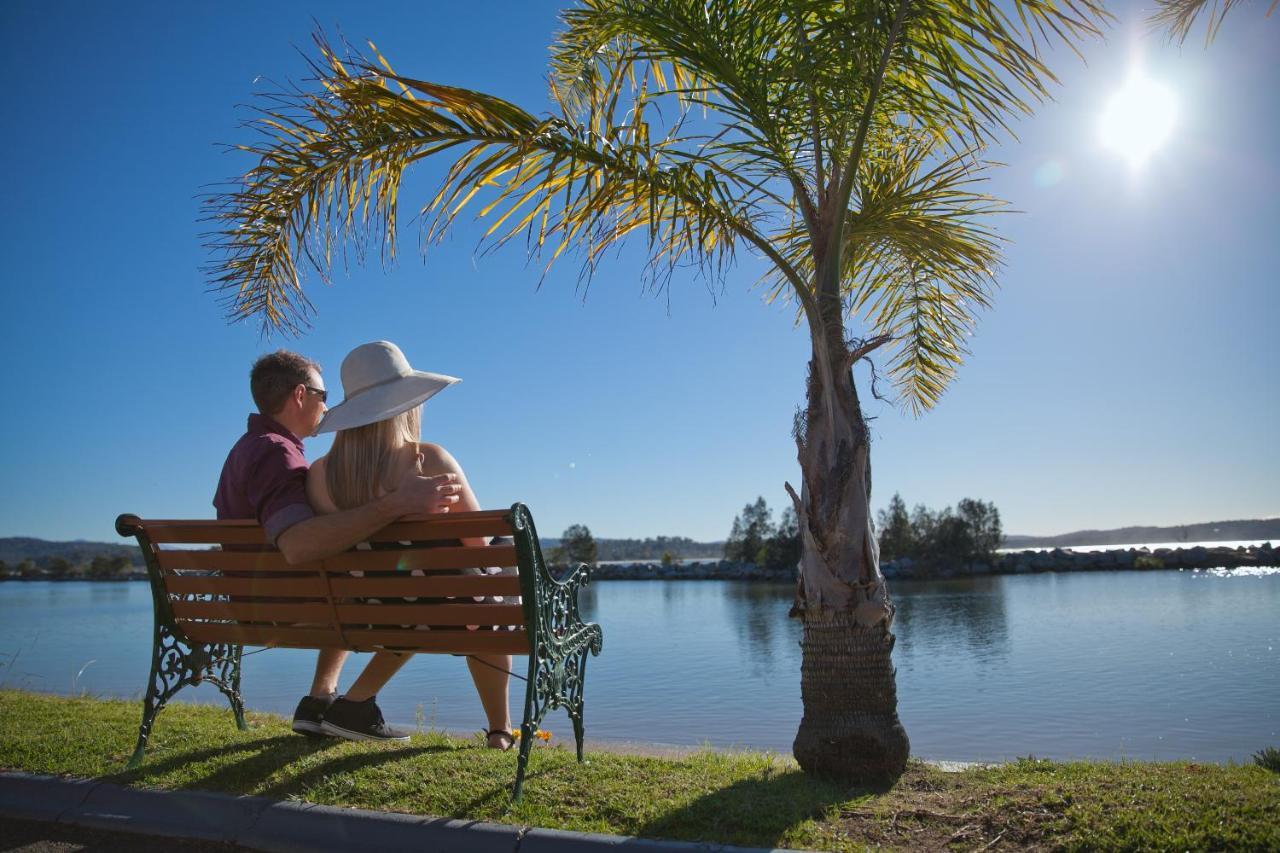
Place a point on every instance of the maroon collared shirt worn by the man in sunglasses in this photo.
(266, 478)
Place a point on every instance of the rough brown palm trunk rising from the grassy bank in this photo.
(851, 728)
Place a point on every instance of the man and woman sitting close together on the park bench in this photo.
(377, 472)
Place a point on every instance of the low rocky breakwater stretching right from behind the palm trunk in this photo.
(1021, 563)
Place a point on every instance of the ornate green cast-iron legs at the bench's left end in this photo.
(176, 664)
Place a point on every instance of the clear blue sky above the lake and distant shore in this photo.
(1126, 376)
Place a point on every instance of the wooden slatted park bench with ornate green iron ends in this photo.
(221, 586)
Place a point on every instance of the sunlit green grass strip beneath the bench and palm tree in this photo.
(742, 799)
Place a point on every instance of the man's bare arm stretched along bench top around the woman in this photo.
(324, 536)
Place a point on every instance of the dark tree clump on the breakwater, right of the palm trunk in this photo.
(971, 533)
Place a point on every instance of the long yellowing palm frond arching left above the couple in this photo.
(331, 162)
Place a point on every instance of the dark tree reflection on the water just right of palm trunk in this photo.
(962, 617)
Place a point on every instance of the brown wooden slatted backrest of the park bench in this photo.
(222, 582)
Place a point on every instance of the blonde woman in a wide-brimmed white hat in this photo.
(377, 441)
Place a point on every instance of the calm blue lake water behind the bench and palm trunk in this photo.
(1109, 665)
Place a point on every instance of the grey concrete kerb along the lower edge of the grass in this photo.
(257, 824)
